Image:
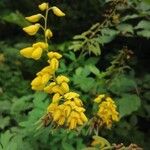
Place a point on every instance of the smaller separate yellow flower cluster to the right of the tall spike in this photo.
(107, 112)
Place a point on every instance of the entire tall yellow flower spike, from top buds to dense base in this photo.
(66, 108)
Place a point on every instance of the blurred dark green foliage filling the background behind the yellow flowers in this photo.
(114, 61)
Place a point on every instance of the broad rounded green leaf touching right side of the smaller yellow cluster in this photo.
(128, 104)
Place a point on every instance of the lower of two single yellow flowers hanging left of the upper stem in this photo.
(32, 29)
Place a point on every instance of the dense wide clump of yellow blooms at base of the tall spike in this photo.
(70, 113)
